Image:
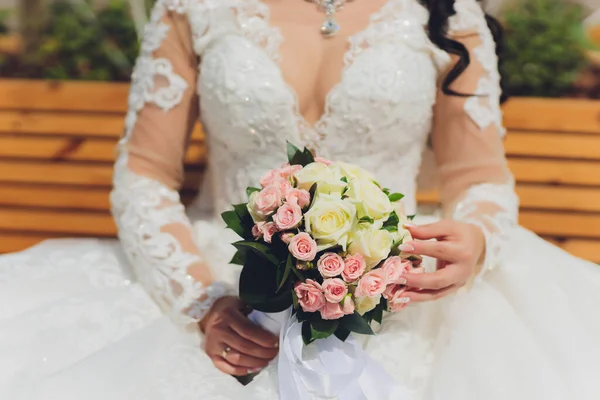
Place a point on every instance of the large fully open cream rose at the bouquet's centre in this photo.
(329, 221)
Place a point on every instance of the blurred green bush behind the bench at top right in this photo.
(545, 47)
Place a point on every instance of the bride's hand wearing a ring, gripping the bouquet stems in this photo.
(235, 344)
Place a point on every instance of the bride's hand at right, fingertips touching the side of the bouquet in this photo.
(458, 248)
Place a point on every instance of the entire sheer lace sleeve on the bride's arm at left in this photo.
(153, 228)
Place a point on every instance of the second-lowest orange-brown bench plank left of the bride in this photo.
(75, 222)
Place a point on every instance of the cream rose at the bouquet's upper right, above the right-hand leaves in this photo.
(369, 199)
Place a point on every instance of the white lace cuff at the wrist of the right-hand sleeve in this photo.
(495, 226)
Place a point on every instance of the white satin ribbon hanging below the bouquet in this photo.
(326, 369)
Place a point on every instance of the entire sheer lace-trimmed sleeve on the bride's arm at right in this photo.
(476, 184)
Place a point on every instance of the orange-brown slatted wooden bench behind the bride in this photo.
(57, 145)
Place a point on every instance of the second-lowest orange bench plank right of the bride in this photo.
(561, 224)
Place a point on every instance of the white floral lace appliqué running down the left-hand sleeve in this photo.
(142, 206)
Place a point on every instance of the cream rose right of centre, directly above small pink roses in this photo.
(373, 245)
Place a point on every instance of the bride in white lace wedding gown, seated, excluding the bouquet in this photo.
(155, 316)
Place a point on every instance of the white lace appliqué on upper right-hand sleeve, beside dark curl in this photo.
(484, 108)
